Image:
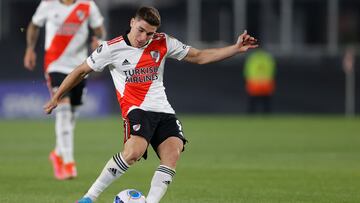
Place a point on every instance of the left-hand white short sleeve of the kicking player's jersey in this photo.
(100, 58)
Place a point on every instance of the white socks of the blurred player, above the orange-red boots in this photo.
(64, 133)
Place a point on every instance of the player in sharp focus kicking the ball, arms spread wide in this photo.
(136, 62)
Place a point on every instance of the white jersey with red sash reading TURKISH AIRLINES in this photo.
(137, 73)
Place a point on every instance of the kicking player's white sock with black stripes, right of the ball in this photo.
(161, 180)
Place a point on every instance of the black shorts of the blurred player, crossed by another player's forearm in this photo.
(75, 94)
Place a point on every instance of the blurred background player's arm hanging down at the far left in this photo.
(32, 36)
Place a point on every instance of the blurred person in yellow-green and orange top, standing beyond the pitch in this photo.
(259, 73)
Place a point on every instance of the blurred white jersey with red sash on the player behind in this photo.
(66, 32)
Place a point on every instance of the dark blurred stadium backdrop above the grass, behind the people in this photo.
(307, 37)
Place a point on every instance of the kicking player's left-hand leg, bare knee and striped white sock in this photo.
(134, 149)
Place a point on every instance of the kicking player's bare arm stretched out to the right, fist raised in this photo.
(205, 56)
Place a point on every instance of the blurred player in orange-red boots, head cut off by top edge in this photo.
(67, 25)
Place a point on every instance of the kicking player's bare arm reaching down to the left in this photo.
(76, 76)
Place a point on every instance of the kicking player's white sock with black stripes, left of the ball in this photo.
(114, 168)
